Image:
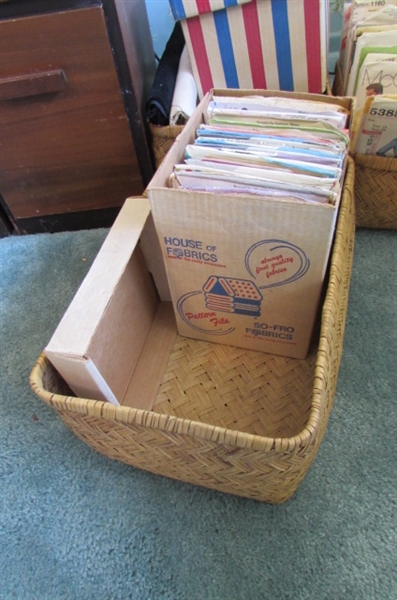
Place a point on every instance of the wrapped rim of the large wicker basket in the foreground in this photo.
(170, 424)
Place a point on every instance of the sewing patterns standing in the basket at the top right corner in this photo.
(368, 61)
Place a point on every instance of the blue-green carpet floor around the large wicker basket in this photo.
(75, 525)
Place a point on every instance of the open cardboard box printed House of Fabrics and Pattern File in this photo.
(242, 271)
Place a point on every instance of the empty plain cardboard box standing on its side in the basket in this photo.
(99, 340)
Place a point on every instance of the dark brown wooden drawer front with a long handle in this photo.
(64, 147)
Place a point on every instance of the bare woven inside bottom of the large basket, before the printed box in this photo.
(277, 395)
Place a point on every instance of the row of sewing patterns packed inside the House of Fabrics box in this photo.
(275, 147)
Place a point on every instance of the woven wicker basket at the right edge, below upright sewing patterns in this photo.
(375, 183)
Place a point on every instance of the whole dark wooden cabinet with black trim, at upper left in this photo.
(73, 137)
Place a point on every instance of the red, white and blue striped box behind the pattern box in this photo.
(257, 44)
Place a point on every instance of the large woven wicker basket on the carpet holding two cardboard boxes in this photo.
(238, 421)
